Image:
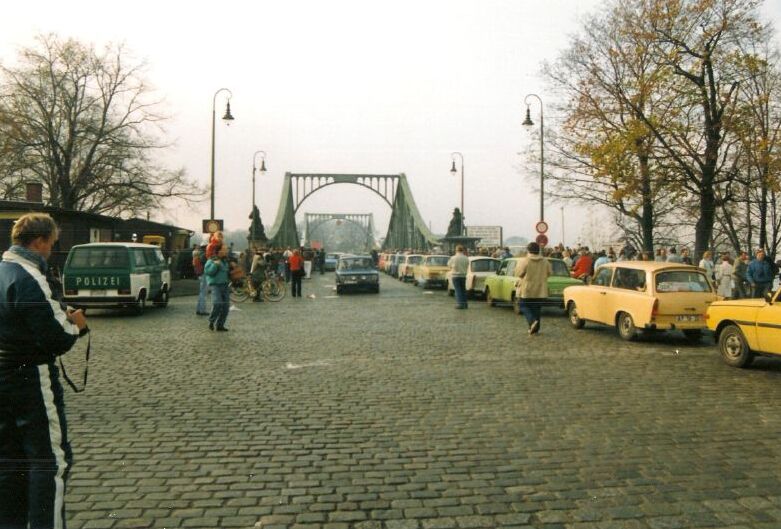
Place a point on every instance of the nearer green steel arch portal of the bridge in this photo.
(406, 229)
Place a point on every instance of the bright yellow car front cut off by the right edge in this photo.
(746, 327)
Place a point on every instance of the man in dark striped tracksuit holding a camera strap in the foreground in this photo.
(34, 329)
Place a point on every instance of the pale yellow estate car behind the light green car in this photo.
(642, 295)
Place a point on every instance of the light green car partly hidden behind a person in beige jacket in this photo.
(500, 287)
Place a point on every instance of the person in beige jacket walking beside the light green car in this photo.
(532, 290)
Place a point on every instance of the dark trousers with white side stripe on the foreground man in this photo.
(34, 450)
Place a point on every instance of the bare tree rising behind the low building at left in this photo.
(85, 124)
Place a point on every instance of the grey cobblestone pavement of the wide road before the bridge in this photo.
(395, 411)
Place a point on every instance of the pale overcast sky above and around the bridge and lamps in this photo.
(350, 86)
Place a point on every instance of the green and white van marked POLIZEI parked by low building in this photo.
(106, 275)
